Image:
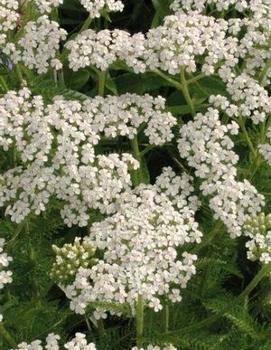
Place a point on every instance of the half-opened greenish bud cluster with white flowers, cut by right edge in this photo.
(258, 229)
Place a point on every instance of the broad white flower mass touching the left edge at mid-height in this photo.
(56, 146)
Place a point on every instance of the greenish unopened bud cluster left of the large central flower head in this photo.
(69, 259)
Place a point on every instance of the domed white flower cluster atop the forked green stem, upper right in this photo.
(183, 38)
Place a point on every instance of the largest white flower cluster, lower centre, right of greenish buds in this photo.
(139, 245)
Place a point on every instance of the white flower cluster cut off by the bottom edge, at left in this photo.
(52, 343)
